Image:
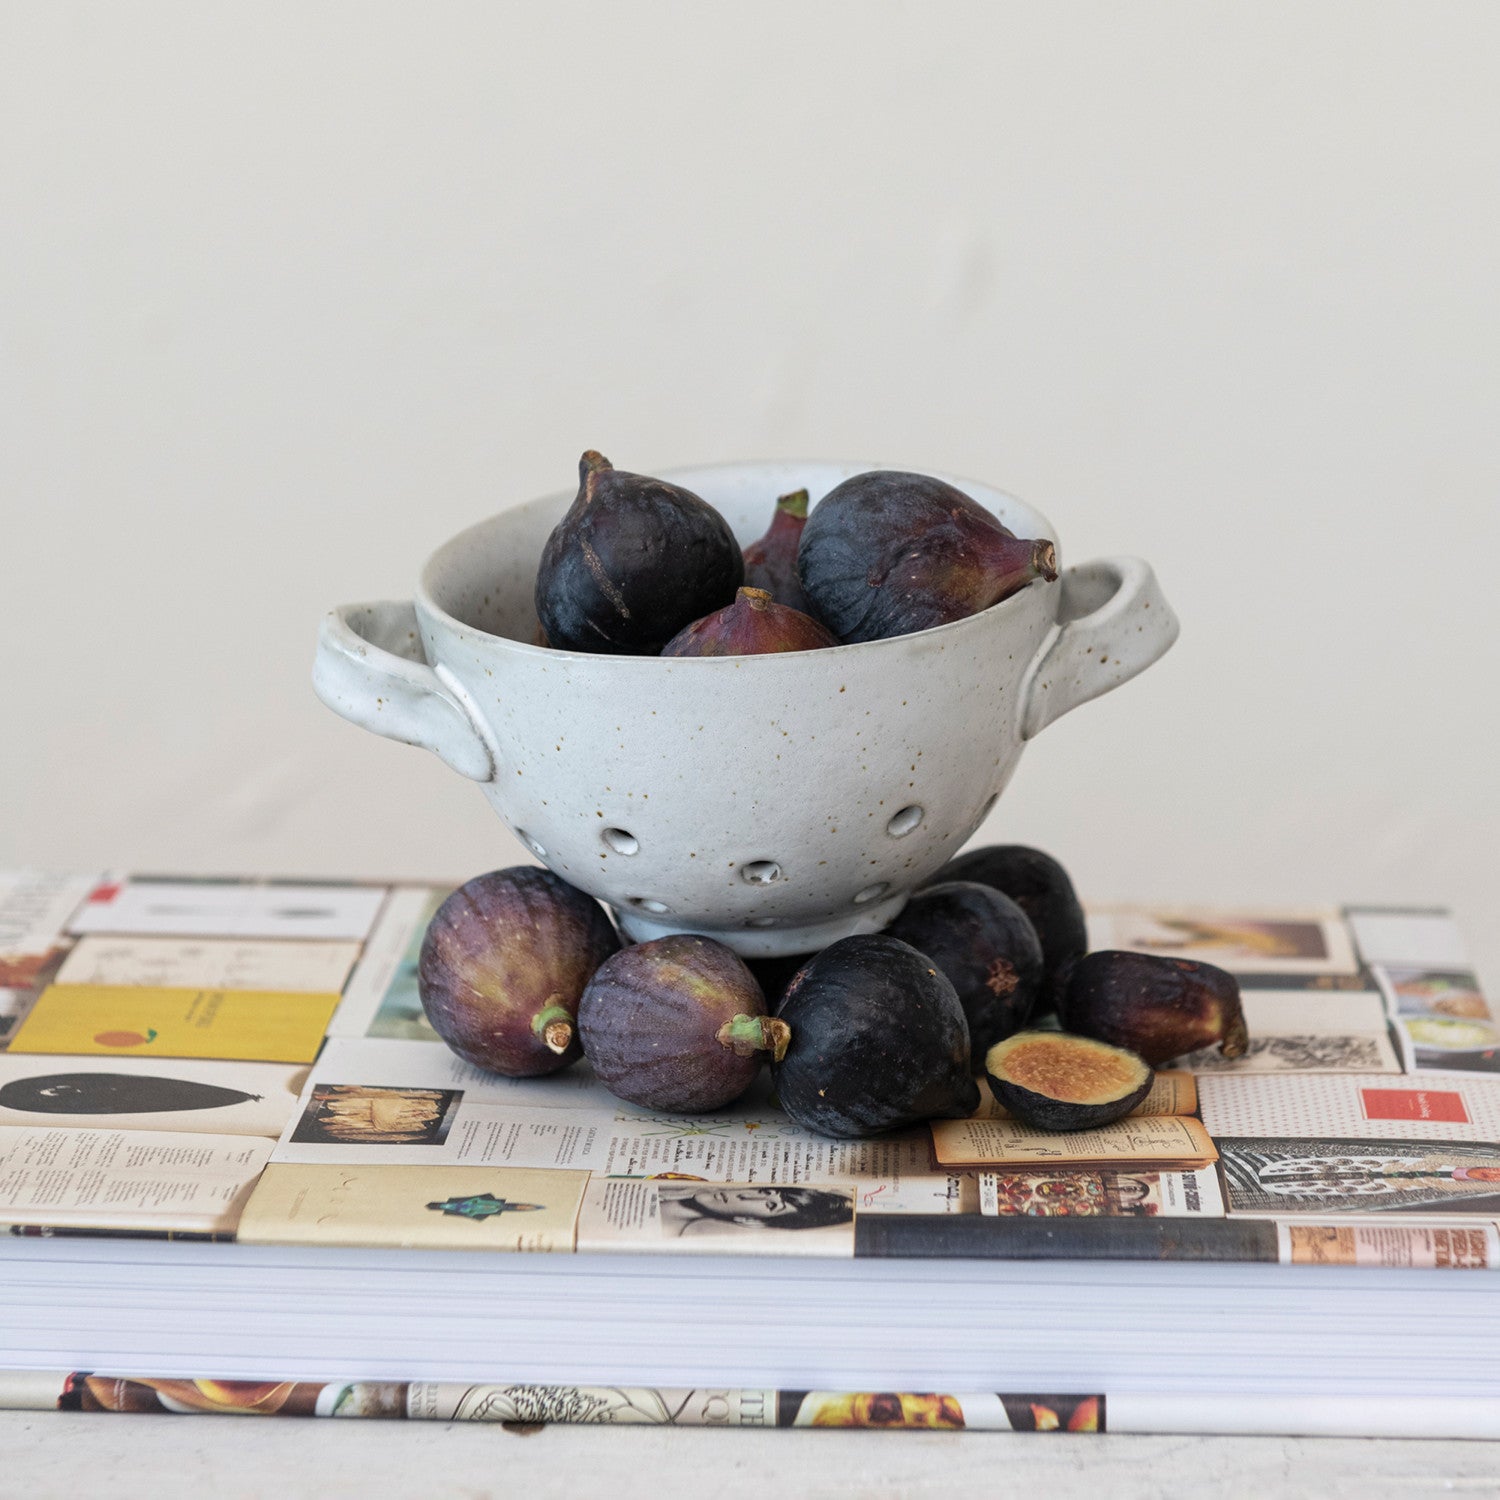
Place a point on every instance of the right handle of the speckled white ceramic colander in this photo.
(1114, 623)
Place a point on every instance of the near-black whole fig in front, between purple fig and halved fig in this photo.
(878, 1042)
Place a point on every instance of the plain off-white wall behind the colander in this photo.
(290, 293)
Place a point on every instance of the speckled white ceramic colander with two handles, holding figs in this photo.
(776, 803)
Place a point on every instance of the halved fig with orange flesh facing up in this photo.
(1054, 1081)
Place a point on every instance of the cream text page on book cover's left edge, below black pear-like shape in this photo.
(127, 1180)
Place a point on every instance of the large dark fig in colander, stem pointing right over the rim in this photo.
(886, 554)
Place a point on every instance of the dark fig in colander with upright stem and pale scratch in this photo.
(632, 563)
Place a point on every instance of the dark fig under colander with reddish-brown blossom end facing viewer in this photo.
(986, 947)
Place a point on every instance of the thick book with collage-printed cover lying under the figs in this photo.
(241, 1174)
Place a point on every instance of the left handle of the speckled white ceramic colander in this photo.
(373, 671)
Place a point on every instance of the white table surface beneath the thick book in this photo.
(235, 1459)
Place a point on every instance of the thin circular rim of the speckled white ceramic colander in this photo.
(427, 604)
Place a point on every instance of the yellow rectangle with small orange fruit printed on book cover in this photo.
(139, 1022)
